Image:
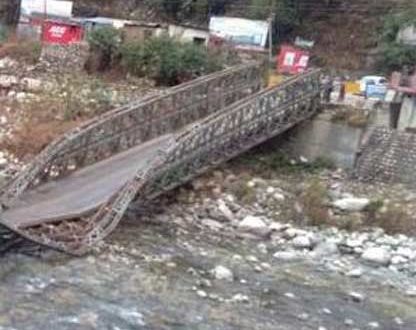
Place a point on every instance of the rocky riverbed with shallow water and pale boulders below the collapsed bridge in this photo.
(214, 255)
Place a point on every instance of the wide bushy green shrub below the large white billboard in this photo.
(167, 61)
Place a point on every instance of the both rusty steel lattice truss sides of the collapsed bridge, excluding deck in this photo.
(230, 115)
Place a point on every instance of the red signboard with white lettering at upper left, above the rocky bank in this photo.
(61, 33)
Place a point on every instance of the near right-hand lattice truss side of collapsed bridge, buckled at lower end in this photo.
(210, 142)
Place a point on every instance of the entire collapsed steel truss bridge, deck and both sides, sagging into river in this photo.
(75, 192)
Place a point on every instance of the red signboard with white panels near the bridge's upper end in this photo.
(292, 60)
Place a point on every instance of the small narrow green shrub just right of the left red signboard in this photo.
(105, 44)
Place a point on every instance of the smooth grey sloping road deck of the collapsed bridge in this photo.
(82, 191)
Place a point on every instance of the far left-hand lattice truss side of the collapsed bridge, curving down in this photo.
(135, 123)
